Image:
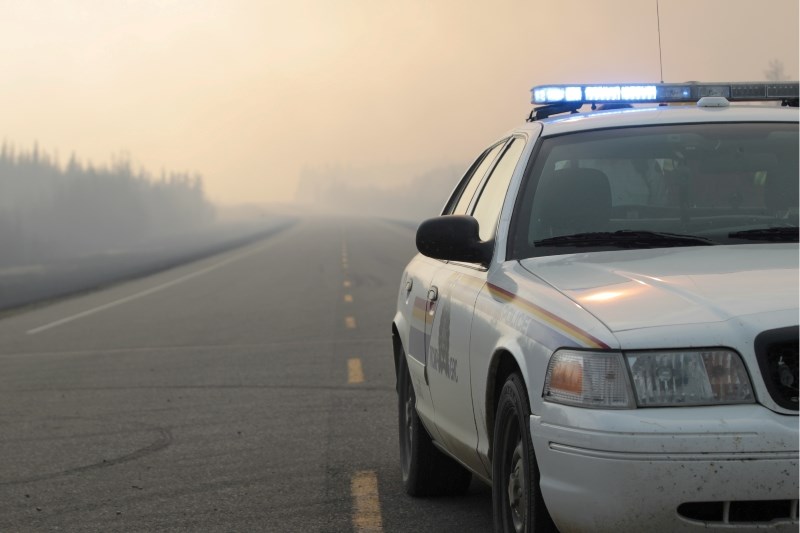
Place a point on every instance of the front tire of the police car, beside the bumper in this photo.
(517, 503)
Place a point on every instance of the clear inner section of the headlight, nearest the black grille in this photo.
(702, 377)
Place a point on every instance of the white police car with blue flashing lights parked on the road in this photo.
(603, 322)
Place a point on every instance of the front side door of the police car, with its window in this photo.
(452, 294)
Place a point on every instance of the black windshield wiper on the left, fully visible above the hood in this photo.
(626, 239)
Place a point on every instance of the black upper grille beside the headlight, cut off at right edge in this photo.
(776, 351)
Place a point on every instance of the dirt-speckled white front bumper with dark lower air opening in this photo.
(632, 470)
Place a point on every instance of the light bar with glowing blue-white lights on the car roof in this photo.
(637, 93)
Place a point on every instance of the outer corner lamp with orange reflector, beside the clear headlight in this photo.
(588, 379)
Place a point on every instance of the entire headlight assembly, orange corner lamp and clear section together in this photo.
(649, 379)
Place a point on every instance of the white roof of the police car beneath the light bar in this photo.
(657, 115)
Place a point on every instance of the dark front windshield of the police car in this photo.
(657, 186)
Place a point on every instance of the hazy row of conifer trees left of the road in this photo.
(49, 211)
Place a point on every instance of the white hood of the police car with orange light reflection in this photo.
(634, 289)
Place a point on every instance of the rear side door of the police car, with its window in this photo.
(418, 301)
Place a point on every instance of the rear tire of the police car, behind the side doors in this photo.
(426, 470)
